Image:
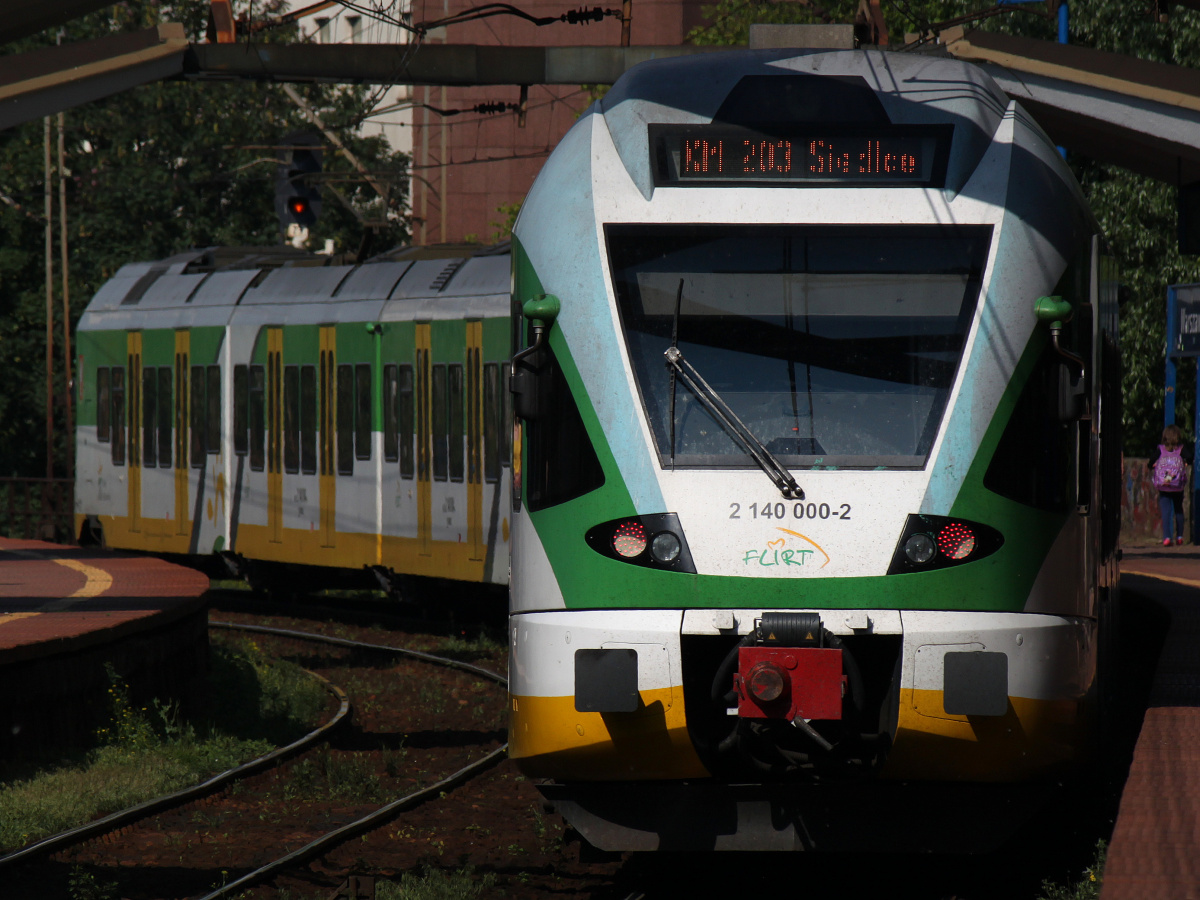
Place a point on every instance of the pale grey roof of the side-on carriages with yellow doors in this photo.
(205, 287)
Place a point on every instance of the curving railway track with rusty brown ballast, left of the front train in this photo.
(488, 830)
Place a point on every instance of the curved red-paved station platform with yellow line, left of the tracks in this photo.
(70, 615)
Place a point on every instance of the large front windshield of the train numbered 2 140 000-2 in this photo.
(836, 346)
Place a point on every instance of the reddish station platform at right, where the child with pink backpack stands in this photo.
(1155, 851)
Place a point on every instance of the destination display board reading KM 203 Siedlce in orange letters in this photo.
(873, 157)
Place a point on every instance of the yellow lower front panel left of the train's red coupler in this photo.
(549, 739)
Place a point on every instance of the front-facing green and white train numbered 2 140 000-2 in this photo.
(818, 485)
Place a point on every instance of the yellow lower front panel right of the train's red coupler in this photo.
(1035, 737)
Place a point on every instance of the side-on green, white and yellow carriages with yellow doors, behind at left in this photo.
(302, 419)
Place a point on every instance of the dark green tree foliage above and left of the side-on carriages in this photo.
(152, 172)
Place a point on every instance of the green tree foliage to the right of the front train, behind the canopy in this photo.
(1137, 214)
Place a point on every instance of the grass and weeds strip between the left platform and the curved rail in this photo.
(148, 752)
